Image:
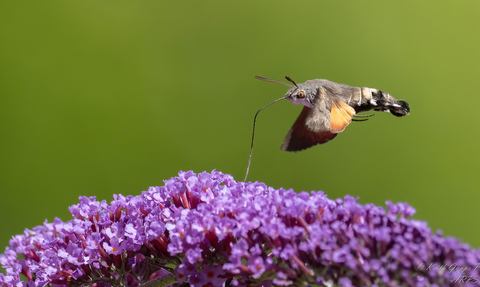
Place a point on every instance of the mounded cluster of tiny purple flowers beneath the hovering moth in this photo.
(209, 230)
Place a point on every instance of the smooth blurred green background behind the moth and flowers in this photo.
(104, 97)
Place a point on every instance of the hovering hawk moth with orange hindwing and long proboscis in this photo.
(329, 108)
